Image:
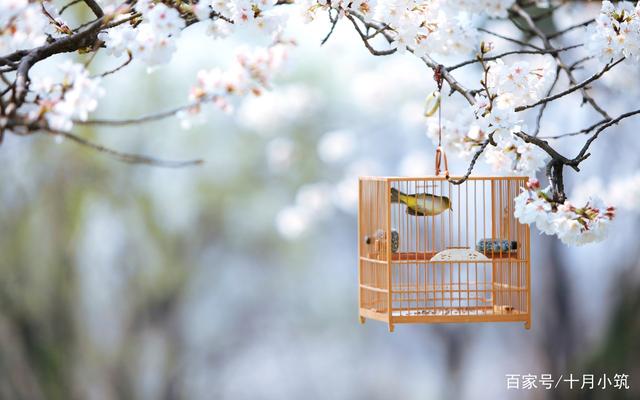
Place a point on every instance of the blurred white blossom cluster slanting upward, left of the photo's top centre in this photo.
(250, 73)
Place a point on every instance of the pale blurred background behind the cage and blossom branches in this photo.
(238, 279)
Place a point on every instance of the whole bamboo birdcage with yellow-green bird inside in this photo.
(431, 251)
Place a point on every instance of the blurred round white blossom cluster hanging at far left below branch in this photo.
(58, 103)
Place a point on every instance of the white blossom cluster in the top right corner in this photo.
(616, 32)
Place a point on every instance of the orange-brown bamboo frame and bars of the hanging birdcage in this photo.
(388, 317)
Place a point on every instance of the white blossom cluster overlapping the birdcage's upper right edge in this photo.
(573, 225)
